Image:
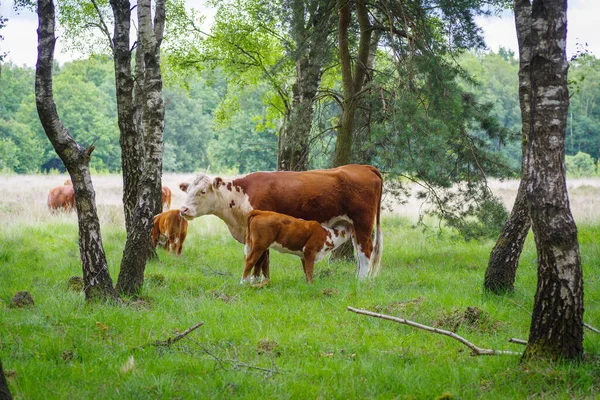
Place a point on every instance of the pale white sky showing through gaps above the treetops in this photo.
(20, 37)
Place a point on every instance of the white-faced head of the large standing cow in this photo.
(201, 196)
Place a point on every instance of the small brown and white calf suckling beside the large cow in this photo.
(309, 240)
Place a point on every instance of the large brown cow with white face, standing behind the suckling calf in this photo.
(350, 193)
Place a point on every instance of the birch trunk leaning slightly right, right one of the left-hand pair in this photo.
(150, 141)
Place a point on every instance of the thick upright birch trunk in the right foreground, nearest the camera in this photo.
(556, 330)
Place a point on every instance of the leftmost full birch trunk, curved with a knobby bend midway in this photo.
(96, 278)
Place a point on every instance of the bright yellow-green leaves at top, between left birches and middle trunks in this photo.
(243, 46)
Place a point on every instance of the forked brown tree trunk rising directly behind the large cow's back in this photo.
(353, 80)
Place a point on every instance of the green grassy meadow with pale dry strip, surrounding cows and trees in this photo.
(286, 340)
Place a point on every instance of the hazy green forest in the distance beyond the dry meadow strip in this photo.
(203, 128)
